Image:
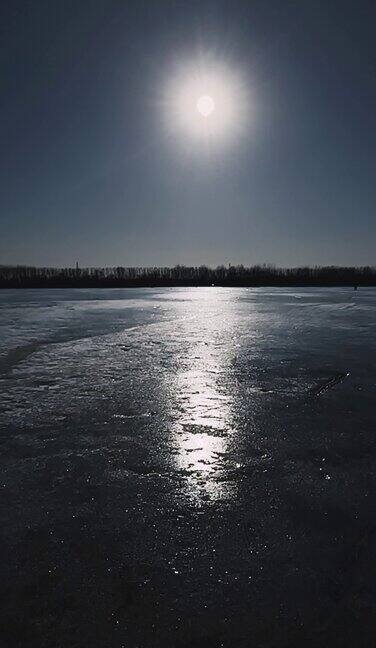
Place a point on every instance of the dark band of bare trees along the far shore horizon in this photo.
(239, 275)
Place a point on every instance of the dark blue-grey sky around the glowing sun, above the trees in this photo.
(96, 167)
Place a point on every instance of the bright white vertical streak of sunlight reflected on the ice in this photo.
(204, 426)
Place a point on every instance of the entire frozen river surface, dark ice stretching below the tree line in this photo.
(188, 468)
